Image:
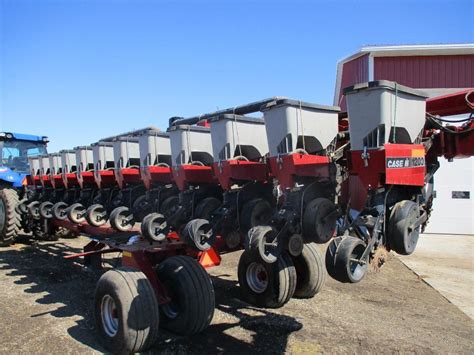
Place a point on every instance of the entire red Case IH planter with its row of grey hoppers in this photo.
(378, 182)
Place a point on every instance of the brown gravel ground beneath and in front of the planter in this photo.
(46, 308)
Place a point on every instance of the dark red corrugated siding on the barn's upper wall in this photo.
(443, 71)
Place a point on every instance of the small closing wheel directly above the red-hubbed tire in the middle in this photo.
(262, 240)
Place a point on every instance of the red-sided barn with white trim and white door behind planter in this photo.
(436, 70)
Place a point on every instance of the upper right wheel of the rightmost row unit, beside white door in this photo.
(402, 231)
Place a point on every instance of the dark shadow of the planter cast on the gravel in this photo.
(40, 267)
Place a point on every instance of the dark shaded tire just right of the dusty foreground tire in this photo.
(192, 295)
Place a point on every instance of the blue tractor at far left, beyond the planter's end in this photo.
(15, 149)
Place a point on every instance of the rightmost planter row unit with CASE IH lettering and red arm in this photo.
(393, 156)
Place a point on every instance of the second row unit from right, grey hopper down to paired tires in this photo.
(301, 138)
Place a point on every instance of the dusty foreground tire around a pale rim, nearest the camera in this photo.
(136, 309)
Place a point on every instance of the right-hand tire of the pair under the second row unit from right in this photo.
(310, 272)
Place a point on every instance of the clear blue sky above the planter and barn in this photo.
(81, 70)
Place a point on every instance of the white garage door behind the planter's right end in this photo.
(453, 210)
